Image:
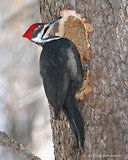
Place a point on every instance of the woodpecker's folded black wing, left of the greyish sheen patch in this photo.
(54, 71)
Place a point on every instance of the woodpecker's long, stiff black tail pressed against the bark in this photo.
(75, 120)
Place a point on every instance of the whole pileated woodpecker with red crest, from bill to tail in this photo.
(61, 71)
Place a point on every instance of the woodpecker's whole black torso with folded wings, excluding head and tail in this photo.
(59, 66)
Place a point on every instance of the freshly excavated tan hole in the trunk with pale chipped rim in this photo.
(76, 28)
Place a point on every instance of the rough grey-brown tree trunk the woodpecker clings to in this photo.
(104, 107)
